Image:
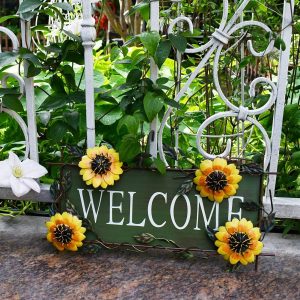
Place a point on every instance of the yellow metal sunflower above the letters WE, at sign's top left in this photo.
(100, 167)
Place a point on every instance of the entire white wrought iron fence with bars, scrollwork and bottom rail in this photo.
(213, 49)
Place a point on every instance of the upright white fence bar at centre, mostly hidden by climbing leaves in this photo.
(154, 23)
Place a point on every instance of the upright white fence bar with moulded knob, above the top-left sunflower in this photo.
(88, 36)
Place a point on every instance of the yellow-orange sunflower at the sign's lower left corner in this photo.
(65, 231)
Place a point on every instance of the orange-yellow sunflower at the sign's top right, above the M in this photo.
(216, 179)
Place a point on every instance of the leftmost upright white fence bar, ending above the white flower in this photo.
(29, 92)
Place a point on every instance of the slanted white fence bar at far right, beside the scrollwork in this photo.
(281, 87)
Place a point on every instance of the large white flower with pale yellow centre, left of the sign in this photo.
(19, 175)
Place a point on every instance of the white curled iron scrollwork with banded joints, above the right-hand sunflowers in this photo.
(220, 38)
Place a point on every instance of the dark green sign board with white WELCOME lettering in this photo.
(144, 201)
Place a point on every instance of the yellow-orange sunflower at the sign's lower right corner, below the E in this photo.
(238, 241)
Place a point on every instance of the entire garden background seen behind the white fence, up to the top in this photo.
(124, 93)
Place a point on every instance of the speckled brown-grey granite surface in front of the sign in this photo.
(30, 268)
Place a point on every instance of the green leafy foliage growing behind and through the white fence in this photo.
(126, 100)
